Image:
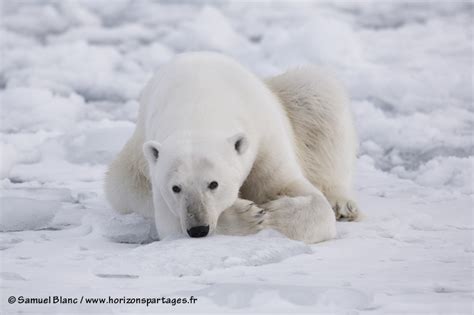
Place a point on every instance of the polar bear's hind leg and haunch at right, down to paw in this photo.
(324, 133)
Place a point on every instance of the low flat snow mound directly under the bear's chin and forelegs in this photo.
(192, 257)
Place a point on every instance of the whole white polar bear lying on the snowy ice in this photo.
(218, 150)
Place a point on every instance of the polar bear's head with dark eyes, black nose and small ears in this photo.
(198, 177)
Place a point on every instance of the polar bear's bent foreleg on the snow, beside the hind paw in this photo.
(302, 213)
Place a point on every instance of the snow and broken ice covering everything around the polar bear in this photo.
(70, 77)
